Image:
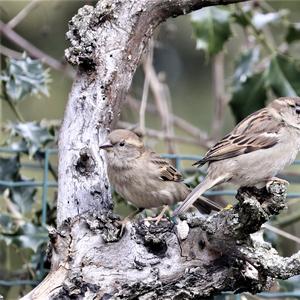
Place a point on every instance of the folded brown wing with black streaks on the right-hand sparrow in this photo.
(258, 131)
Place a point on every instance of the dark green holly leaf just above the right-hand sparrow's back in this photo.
(248, 96)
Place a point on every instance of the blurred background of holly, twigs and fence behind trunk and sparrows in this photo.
(202, 74)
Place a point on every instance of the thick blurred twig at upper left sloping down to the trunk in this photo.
(34, 51)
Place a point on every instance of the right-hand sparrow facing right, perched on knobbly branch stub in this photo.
(257, 149)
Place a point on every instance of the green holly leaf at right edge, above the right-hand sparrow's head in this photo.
(283, 76)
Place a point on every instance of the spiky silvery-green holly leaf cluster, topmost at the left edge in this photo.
(24, 76)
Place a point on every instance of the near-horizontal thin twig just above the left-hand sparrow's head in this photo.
(160, 135)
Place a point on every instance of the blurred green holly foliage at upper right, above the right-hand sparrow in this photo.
(263, 68)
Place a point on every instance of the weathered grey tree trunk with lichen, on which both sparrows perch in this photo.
(199, 257)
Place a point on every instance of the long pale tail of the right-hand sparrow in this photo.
(196, 193)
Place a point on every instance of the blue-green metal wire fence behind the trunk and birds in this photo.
(47, 184)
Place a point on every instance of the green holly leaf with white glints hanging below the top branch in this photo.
(211, 29)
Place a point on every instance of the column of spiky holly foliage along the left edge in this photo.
(20, 217)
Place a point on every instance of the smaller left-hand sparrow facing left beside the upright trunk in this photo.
(142, 177)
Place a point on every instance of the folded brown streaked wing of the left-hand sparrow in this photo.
(162, 168)
